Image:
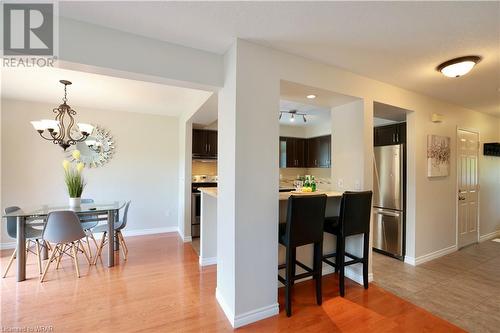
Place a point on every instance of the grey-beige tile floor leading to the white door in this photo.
(462, 287)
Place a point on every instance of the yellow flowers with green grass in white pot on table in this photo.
(74, 179)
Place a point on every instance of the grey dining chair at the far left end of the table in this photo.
(32, 236)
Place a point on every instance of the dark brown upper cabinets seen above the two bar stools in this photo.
(305, 153)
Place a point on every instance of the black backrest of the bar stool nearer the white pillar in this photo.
(305, 219)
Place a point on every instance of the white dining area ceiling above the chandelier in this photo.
(99, 91)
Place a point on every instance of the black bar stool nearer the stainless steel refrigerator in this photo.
(354, 219)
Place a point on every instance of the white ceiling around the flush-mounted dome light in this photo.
(395, 42)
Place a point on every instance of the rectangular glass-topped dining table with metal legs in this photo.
(86, 212)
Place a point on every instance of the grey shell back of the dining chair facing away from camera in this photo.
(63, 227)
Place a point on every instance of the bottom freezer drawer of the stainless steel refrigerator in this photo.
(388, 231)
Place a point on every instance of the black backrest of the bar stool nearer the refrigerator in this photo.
(355, 212)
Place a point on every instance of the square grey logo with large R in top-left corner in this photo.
(28, 29)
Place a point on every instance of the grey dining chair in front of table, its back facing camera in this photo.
(63, 228)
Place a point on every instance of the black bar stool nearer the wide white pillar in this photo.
(304, 225)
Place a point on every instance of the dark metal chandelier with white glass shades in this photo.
(61, 130)
